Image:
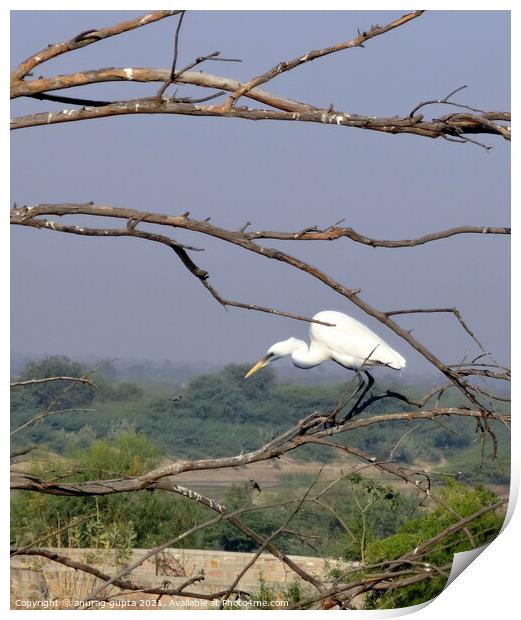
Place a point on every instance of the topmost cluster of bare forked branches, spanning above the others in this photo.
(454, 127)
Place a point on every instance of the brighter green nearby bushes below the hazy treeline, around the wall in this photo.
(383, 524)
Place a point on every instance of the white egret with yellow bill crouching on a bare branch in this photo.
(349, 343)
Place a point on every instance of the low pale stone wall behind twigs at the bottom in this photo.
(40, 583)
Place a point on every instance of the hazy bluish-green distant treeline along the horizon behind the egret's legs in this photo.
(220, 414)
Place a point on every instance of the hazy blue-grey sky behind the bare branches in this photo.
(131, 298)
